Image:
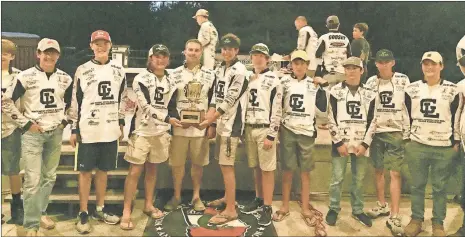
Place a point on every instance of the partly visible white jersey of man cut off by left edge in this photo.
(8, 81)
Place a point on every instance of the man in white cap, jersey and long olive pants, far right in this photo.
(434, 106)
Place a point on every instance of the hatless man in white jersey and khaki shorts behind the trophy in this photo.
(190, 141)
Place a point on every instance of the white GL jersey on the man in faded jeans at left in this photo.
(44, 99)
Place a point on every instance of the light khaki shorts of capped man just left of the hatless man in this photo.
(152, 149)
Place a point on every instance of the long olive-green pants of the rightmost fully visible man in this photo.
(421, 159)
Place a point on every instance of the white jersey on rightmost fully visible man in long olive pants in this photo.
(434, 113)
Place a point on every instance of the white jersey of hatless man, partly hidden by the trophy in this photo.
(181, 77)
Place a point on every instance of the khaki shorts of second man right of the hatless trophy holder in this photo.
(256, 155)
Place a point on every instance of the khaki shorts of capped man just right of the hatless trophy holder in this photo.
(225, 149)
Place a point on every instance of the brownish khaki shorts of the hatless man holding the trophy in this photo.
(196, 148)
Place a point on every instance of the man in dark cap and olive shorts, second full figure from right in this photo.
(387, 150)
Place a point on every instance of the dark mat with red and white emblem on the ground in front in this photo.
(187, 222)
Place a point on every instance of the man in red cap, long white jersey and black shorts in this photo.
(98, 126)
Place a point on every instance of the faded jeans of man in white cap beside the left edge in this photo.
(41, 153)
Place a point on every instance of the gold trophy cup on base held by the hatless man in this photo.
(193, 116)
